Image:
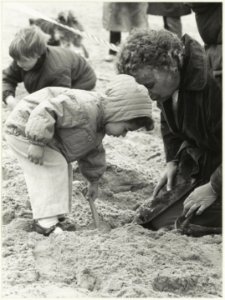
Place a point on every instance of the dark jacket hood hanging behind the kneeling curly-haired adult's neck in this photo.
(194, 72)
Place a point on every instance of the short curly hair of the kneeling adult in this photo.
(157, 48)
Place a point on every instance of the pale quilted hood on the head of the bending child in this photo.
(125, 100)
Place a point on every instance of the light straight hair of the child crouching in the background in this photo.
(28, 42)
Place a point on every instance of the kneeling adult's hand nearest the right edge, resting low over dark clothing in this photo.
(201, 198)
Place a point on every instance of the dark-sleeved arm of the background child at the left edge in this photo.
(10, 78)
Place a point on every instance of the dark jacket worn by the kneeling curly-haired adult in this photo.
(199, 111)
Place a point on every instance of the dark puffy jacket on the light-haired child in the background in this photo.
(57, 67)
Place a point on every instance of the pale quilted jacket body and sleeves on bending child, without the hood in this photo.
(66, 120)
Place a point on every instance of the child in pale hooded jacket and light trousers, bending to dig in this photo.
(55, 126)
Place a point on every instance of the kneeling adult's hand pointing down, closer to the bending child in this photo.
(167, 178)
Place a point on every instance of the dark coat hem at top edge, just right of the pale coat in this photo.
(175, 9)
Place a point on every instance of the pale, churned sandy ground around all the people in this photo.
(127, 261)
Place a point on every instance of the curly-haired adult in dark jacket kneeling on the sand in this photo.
(177, 76)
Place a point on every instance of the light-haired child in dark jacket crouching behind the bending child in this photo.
(39, 66)
